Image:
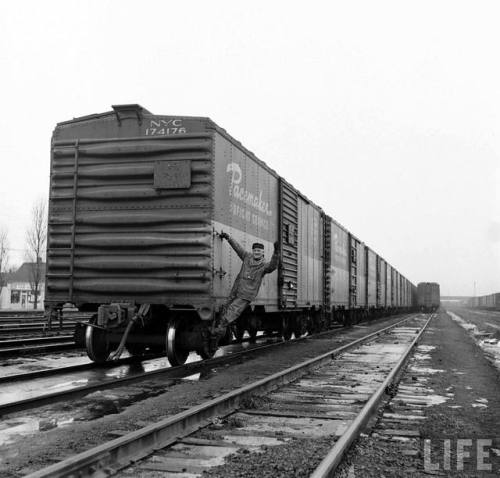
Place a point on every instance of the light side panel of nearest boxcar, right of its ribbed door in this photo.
(310, 246)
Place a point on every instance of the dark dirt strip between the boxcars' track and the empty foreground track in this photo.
(171, 398)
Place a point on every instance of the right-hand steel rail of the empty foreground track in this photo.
(332, 460)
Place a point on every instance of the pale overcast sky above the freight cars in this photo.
(386, 114)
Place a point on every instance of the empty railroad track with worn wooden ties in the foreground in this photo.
(328, 397)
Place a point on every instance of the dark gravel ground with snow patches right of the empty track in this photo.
(444, 417)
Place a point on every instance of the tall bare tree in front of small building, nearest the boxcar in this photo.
(36, 238)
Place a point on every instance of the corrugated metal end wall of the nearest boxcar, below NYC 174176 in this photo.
(119, 237)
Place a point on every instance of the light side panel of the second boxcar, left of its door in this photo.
(340, 266)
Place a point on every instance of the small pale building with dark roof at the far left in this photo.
(16, 293)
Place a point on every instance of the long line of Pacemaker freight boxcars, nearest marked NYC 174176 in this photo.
(137, 203)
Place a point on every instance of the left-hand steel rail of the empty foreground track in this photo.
(116, 454)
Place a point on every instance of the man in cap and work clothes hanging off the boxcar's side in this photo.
(247, 284)
